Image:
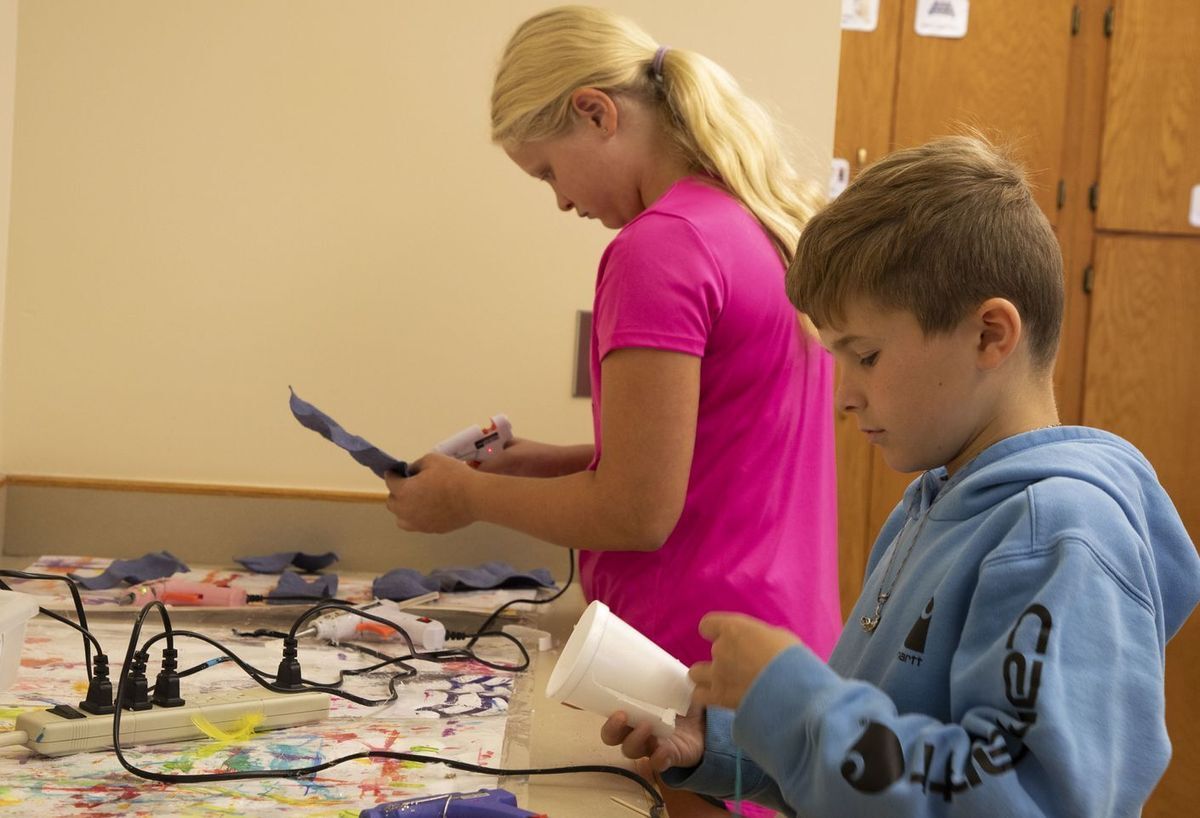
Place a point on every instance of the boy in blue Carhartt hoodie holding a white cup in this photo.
(1006, 655)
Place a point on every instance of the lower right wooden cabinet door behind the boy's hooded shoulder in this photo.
(1144, 384)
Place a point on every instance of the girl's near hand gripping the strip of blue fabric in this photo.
(434, 501)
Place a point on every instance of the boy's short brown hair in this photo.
(935, 231)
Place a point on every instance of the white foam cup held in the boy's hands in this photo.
(608, 666)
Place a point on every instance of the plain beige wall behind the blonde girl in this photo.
(212, 201)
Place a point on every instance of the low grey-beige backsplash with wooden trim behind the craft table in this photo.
(212, 525)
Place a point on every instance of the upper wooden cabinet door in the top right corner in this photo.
(1150, 163)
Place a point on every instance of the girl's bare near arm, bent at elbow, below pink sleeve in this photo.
(632, 502)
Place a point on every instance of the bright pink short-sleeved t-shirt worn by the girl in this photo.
(697, 274)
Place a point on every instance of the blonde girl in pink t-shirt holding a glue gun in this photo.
(710, 483)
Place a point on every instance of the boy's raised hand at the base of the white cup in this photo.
(742, 648)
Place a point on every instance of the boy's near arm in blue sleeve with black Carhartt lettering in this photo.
(1055, 707)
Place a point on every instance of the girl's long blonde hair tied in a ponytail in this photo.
(721, 133)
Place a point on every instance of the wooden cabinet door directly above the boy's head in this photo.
(1006, 77)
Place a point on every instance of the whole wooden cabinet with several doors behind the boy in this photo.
(1102, 100)
